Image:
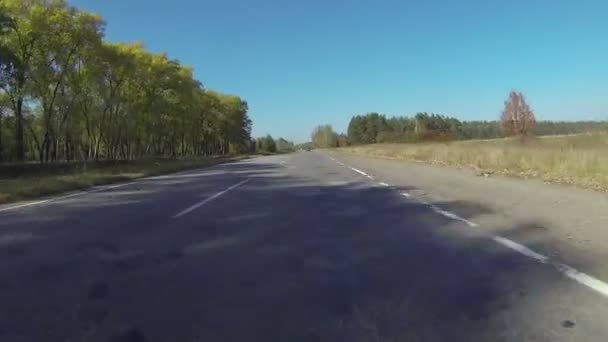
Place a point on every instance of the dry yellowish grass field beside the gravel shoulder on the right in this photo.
(580, 160)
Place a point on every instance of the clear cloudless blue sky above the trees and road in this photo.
(303, 62)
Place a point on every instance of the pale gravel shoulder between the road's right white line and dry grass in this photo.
(564, 222)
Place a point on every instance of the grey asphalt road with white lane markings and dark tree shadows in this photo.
(285, 248)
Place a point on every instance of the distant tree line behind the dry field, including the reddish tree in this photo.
(516, 119)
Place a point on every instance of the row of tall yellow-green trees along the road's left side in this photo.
(67, 94)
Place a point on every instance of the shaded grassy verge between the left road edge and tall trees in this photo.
(28, 181)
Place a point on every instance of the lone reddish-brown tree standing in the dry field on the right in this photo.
(517, 117)
